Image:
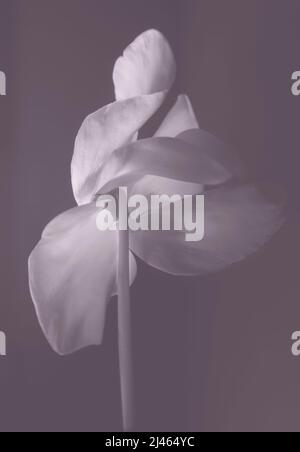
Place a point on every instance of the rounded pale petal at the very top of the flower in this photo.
(146, 67)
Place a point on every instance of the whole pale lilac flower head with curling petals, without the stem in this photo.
(72, 270)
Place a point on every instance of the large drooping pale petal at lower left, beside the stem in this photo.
(72, 275)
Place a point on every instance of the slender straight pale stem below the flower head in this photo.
(124, 326)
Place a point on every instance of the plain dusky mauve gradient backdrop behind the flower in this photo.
(211, 354)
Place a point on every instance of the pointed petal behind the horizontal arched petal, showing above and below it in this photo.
(180, 119)
